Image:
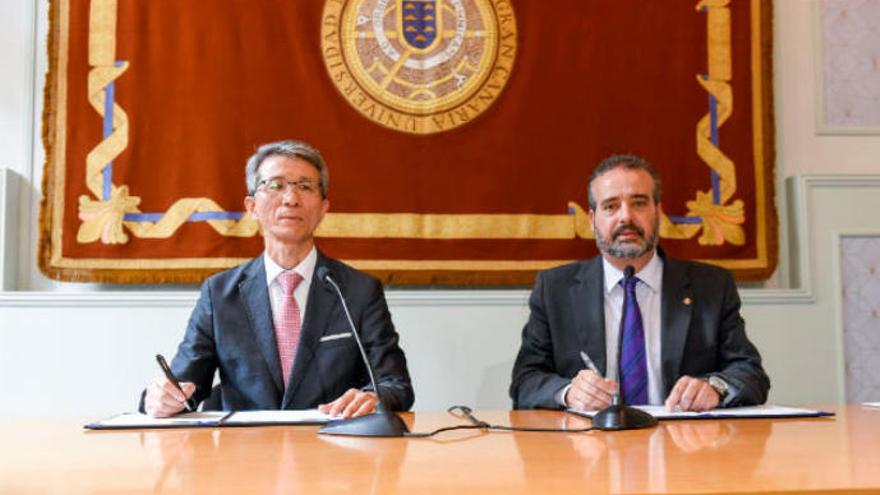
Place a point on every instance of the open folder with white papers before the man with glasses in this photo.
(213, 419)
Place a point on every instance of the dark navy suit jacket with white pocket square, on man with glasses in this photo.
(231, 330)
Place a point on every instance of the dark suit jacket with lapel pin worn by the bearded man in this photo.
(698, 339)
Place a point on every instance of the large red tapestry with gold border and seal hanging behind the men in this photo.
(459, 134)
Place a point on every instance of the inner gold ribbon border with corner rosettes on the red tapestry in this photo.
(103, 219)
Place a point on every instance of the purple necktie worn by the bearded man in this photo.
(633, 364)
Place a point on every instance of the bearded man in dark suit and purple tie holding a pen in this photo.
(684, 341)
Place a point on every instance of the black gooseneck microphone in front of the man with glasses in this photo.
(380, 423)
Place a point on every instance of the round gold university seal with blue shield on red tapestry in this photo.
(419, 66)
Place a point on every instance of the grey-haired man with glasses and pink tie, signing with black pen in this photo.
(277, 335)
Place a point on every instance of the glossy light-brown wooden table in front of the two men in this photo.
(823, 455)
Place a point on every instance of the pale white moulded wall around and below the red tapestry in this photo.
(73, 349)
